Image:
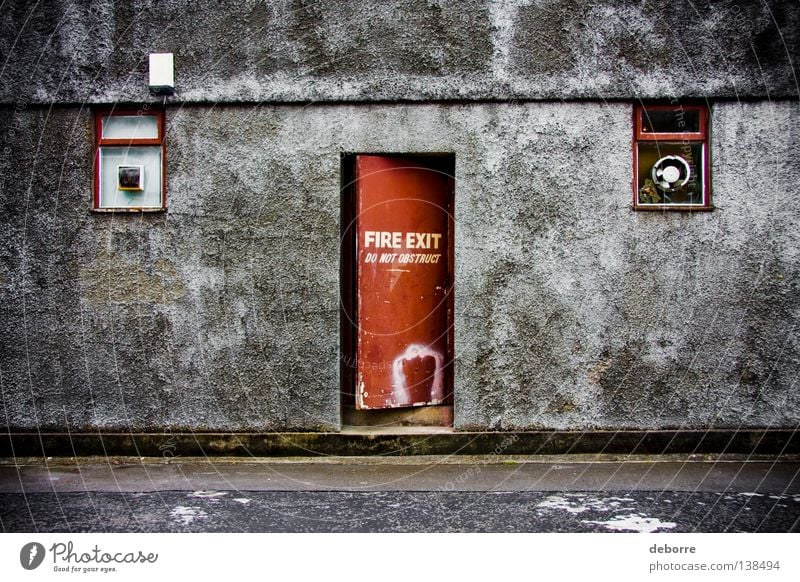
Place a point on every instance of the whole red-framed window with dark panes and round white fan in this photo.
(671, 157)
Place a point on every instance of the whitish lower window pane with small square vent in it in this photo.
(130, 177)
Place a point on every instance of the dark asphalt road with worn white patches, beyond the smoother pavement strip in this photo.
(398, 511)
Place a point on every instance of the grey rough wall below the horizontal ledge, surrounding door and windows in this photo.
(572, 311)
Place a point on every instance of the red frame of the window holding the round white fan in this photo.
(688, 137)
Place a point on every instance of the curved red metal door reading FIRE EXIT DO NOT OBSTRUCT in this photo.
(404, 228)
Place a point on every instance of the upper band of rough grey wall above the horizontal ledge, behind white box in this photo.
(302, 50)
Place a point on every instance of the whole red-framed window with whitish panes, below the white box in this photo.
(129, 161)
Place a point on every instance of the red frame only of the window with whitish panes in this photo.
(100, 141)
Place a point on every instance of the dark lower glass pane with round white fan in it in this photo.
(670, 173)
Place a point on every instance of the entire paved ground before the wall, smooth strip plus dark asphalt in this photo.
(494, 493)
